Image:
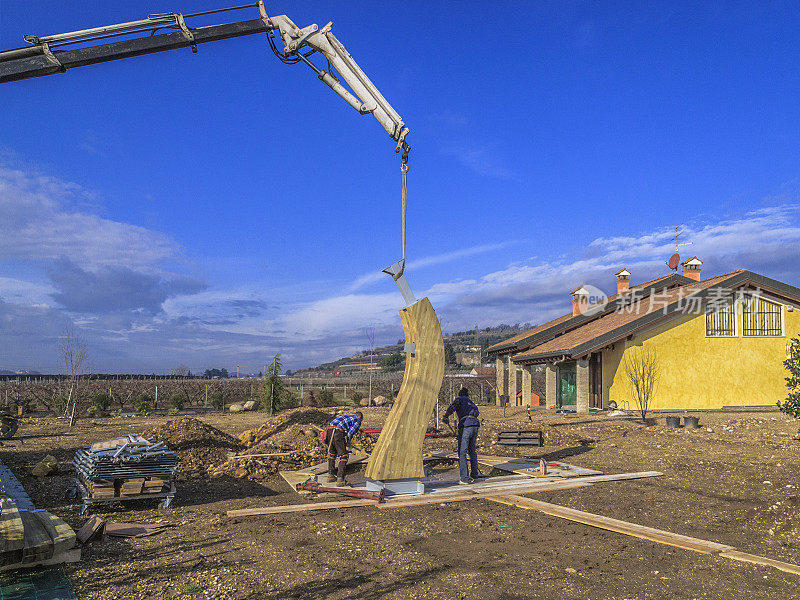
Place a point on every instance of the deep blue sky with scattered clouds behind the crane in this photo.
(216, 208)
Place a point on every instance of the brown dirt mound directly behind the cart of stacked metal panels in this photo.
(199, 446)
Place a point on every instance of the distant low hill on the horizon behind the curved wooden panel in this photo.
(459, 341)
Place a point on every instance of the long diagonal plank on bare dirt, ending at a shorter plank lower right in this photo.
(624, 527)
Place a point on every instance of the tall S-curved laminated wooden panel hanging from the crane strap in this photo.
(398, 452)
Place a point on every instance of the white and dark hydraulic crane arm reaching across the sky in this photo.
(51, 54)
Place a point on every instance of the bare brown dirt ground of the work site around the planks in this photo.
(734, 481)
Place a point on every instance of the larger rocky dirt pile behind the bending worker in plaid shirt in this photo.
(287, 442)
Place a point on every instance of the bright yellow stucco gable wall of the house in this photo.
(705, 372)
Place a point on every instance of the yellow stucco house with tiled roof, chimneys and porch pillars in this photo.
(719, 342)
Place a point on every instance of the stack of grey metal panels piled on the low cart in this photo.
(127, 457)
